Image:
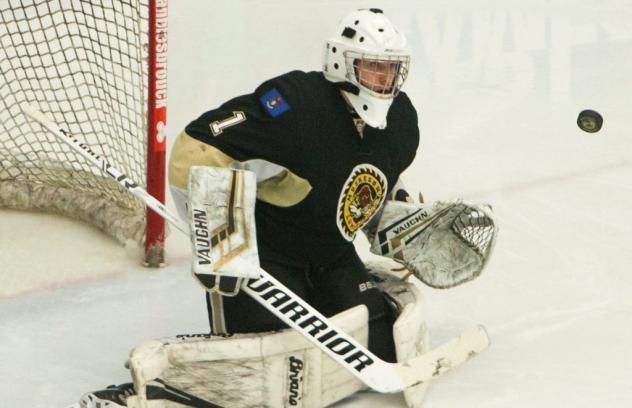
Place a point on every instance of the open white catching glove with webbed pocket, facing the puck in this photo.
(444, 244)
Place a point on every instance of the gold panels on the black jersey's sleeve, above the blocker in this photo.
(283, 190)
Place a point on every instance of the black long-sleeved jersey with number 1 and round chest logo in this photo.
(333, 179)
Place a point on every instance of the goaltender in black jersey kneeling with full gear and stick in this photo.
(283, 179)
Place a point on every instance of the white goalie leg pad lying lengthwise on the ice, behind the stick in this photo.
(274, 369)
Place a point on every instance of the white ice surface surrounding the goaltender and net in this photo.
(498, 85)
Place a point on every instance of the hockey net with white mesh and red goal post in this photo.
(98, 68)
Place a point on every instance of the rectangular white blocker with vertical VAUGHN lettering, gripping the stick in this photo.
(220, 209)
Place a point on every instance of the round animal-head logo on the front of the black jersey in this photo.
(362, 195)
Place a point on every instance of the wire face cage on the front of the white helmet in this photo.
(382, 76)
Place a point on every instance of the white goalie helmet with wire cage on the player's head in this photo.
(371, 55)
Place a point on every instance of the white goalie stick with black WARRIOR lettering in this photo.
(301, 316)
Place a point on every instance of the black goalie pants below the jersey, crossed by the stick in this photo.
(329, 288)
